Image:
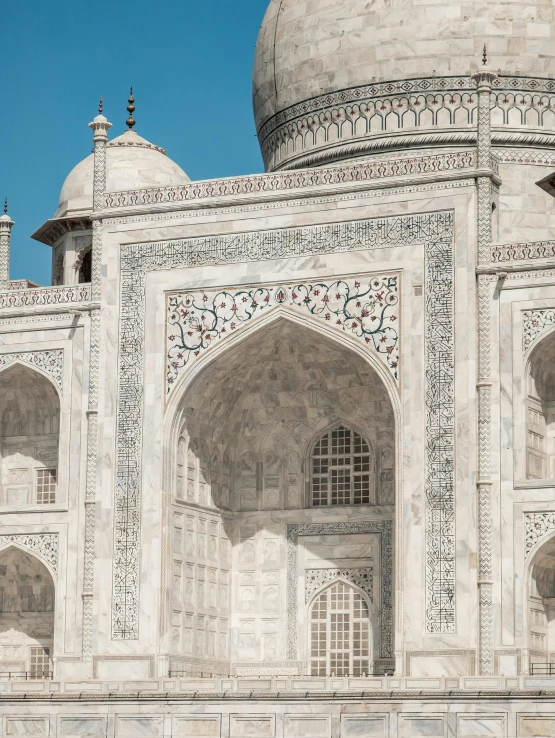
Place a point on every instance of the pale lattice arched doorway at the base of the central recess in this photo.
(339, 633)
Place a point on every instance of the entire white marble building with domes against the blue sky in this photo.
(278, 451)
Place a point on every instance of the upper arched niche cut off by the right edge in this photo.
(540, 410)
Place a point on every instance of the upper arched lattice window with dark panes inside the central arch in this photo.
(341, 470)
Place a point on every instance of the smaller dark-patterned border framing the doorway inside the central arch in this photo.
(385, 529)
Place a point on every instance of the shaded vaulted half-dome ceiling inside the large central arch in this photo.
(282, 386)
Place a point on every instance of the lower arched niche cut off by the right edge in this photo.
(541, 608)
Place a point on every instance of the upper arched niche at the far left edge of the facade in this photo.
(29, 437)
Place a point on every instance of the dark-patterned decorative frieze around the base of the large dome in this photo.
(370, 116)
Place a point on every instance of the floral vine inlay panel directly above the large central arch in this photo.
(366, 309)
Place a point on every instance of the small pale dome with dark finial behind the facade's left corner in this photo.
(131, 163)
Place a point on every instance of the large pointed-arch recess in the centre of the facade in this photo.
(289, 429)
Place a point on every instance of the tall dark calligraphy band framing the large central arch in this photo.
(435, 232)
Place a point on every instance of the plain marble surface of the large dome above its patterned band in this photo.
(310, 49)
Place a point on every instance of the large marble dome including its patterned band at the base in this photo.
(317, 98)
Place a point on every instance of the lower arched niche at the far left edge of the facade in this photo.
(27, 600)
